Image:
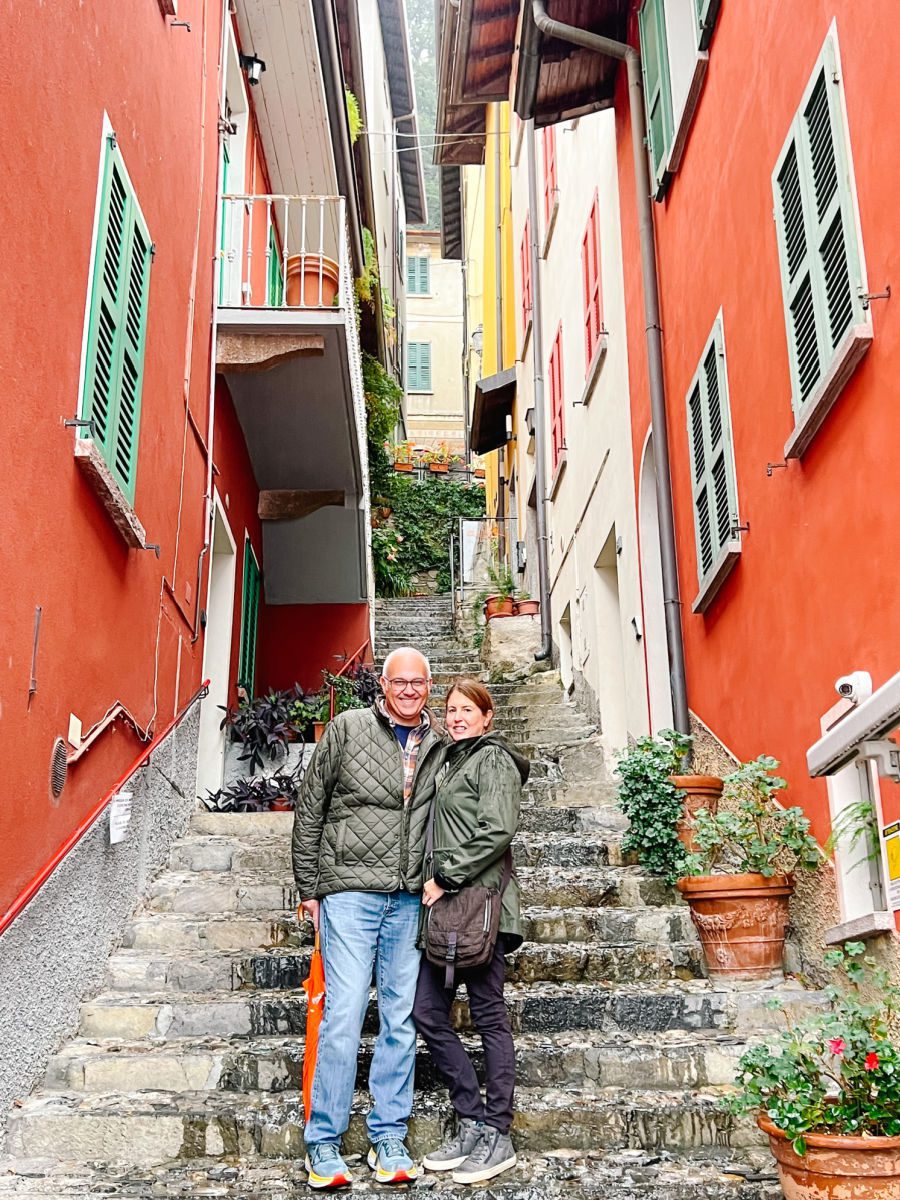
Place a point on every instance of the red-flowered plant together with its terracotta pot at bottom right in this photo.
(827, 1089)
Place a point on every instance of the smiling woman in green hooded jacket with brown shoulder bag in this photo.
(476, 820)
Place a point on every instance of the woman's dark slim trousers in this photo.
(431, 1015)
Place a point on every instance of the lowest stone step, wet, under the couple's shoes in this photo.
(574, 1175)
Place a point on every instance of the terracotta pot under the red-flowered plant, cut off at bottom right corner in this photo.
(835, 1167)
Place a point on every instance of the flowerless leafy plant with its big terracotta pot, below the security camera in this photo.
(739, 879)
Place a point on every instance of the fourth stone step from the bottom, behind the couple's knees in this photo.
(533, 1009)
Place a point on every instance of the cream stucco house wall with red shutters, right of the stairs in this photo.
(593, 500)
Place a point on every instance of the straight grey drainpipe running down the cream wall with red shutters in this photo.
(541, 433)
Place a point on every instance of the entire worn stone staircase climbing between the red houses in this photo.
(184, 1077)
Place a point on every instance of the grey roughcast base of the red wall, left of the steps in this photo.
(56, 952)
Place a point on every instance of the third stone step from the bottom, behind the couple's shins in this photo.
(586, 1061)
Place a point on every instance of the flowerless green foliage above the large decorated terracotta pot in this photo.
(752, 833)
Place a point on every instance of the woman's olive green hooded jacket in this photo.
(479, 791)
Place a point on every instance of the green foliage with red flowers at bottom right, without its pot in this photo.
(837, 1071)
